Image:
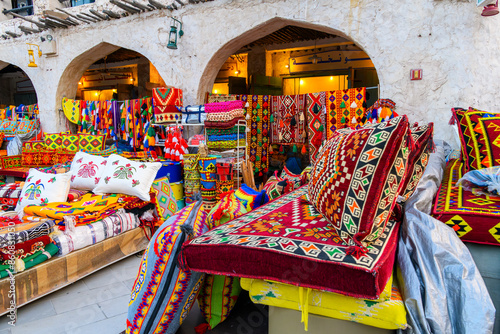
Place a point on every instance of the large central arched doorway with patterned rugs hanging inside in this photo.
(279, 63)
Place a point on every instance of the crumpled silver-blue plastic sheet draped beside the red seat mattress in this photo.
(441, 285)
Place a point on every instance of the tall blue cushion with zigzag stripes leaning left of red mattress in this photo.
(163, 294)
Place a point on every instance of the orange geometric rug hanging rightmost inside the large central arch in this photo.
(344, 108)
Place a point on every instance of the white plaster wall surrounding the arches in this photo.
(458, 50)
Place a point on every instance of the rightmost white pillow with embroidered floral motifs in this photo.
(124, 176)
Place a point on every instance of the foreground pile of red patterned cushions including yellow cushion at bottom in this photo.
(341, 229)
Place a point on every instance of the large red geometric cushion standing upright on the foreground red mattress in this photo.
(358, 176)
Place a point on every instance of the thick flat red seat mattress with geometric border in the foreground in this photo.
(289, 233)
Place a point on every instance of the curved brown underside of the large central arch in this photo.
(259, 31)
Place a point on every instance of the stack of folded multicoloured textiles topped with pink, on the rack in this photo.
(221, 124)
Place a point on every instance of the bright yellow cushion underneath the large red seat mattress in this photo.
(388, 314)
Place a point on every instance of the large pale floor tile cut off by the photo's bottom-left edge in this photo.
(61, 323)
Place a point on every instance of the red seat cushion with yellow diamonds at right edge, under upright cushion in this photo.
(473, 218)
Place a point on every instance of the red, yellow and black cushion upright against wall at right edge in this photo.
(478, 137)
